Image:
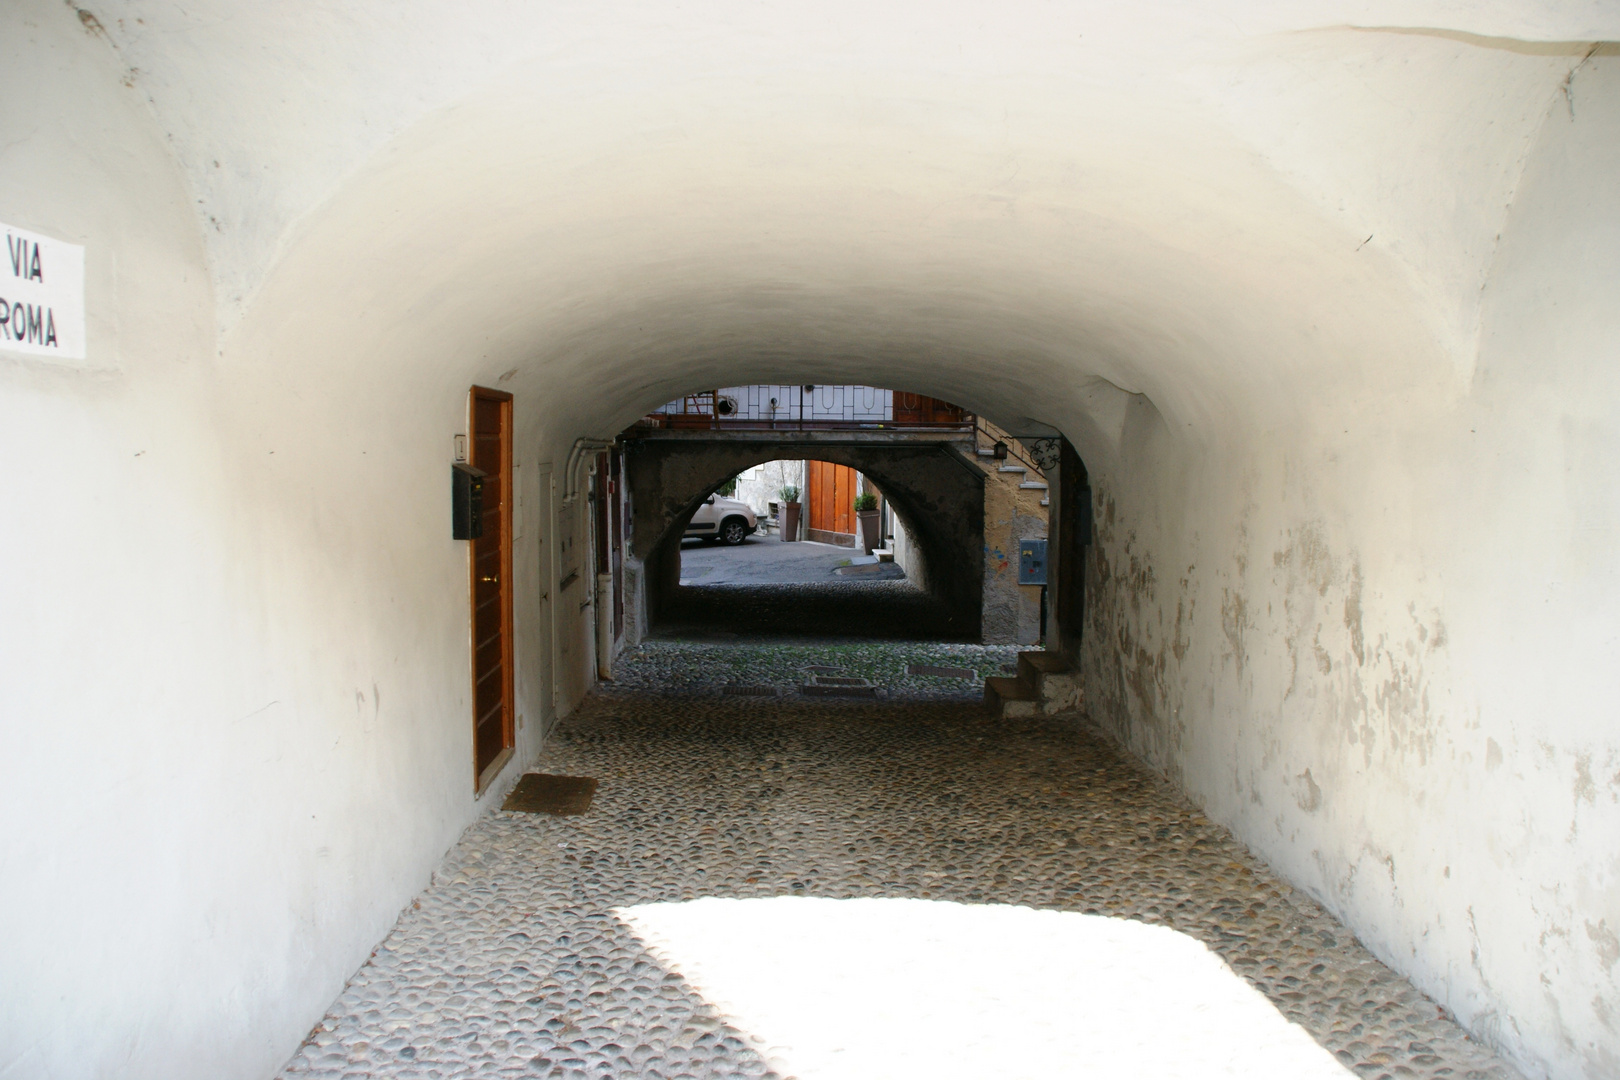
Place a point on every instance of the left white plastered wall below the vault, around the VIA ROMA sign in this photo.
(234, 681)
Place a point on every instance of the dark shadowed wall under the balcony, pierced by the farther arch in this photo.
(931, 485)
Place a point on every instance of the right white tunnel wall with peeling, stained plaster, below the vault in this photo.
(1365, 648)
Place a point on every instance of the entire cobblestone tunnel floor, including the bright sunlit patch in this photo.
(787, 887)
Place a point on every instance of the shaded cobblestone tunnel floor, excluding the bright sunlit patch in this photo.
(513, 964)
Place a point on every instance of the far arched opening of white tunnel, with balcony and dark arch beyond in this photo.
(945, 501)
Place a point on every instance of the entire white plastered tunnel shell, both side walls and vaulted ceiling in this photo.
(1354, 453)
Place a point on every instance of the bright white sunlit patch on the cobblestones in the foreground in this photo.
(876, 989)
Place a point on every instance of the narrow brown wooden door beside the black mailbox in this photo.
(492, 577)
